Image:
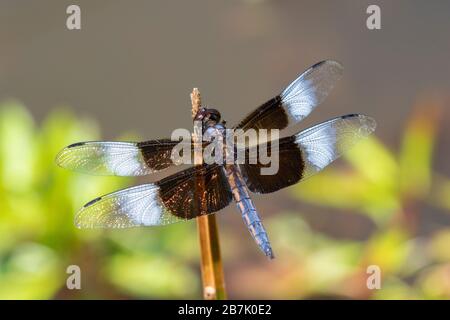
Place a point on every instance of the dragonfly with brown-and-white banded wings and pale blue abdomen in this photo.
(204, 189)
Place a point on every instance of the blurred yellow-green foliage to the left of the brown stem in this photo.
(38, 237)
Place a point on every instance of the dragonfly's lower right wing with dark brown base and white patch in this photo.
(307, 152)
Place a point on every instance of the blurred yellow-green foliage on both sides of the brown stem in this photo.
(392, 192)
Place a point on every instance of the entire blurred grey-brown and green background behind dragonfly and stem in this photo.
(127, 74)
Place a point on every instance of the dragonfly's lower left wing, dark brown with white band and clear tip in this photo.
(185, 195)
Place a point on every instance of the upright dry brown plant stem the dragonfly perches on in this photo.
(211, 261)
